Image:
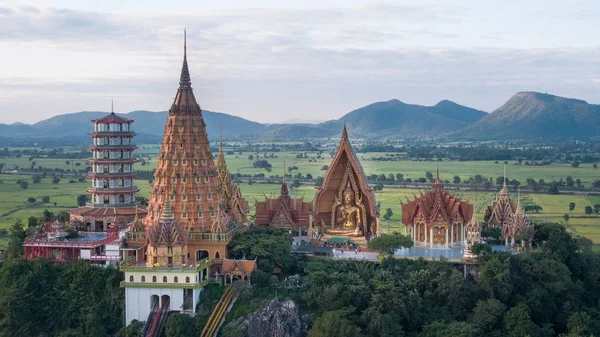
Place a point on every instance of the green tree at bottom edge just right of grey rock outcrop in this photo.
(334, 324)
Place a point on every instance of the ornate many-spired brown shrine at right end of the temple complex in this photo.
(507, 215)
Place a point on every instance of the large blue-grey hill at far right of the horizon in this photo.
(533, 115)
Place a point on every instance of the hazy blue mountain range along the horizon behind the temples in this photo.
(525, 116)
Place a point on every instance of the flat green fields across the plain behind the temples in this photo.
(14, 205)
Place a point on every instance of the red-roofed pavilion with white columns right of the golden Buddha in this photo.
(437, 219)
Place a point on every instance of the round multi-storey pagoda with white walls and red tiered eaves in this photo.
(112, 193)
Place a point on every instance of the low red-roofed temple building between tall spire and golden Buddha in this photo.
(285, 212)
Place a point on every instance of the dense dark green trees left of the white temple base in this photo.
(39, 298)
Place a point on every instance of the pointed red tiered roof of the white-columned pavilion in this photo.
(436, 203)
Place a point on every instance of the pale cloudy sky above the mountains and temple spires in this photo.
(274, 61)
